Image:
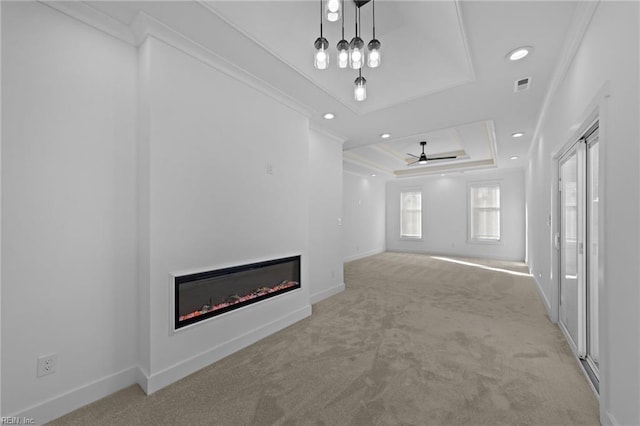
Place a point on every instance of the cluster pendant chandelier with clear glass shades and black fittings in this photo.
(350, 54)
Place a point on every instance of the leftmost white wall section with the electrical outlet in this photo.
(68, 209)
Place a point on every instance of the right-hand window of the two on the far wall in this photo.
(484, 212)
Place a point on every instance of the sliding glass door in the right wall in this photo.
(579, 249)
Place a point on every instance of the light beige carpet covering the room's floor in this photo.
(413, 340)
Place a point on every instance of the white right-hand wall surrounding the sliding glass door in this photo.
(603, 77)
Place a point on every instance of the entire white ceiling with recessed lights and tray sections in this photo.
(444, 77)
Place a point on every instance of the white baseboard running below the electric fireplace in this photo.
(182, 369)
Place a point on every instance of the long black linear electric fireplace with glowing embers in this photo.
(203, 295)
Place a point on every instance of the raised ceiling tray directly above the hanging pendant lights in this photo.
(436, 59)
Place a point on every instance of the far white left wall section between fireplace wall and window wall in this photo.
(363, 217)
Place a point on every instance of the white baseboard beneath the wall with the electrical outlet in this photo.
(69, 401)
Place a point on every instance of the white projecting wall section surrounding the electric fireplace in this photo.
(205, 150)
